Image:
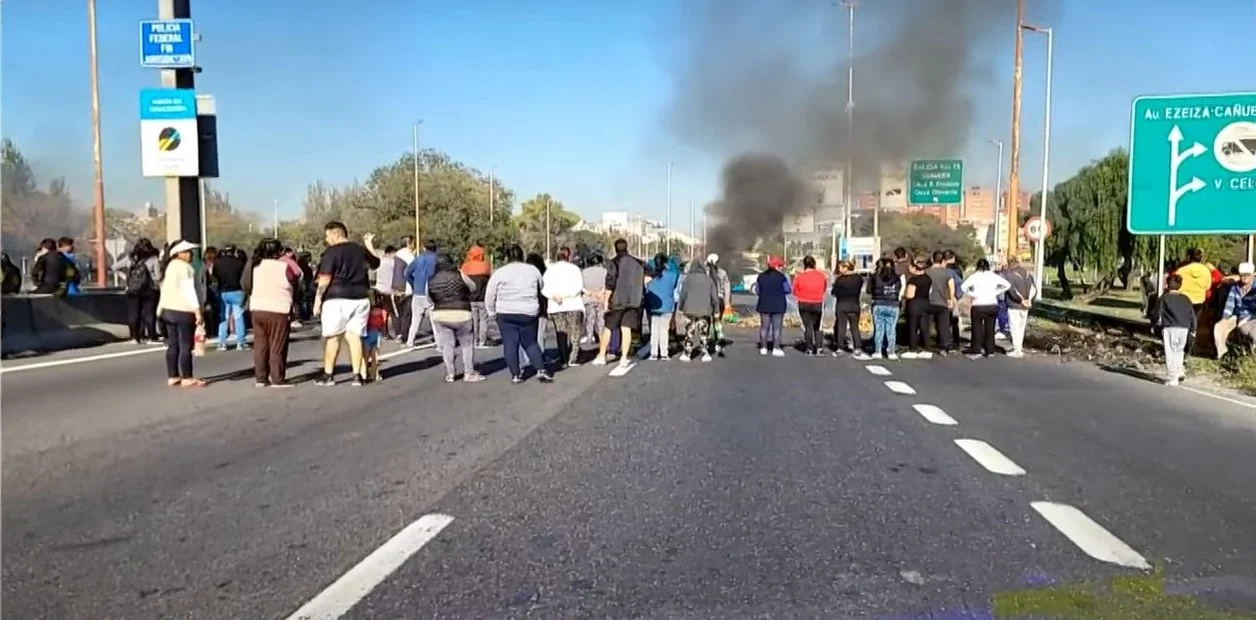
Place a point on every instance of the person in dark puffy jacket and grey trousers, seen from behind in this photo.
(453, 323)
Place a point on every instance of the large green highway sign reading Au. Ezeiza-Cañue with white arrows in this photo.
(1193, 165)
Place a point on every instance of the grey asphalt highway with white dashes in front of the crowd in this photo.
(750, 488)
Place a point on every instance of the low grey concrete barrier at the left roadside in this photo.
(43, 323)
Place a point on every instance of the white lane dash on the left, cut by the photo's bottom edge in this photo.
(355, 585)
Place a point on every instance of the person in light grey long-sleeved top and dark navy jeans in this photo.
(514, 301)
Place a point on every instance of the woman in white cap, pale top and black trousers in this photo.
(180, 309)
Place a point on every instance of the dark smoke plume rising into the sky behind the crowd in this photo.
(757, 80)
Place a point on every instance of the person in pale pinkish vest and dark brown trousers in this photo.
(269, 283)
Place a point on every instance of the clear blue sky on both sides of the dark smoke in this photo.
(560, 96)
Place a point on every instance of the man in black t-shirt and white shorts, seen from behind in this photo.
(344, 299)
